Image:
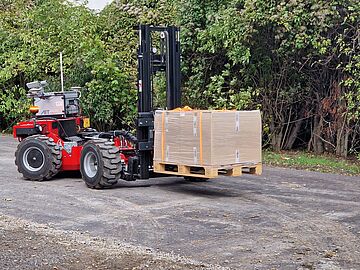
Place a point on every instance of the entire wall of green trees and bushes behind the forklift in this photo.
(297, 61)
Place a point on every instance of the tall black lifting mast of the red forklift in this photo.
(149, 63)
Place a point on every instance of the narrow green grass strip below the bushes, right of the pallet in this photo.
(312, 162)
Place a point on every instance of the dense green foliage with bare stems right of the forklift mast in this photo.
(297, 61)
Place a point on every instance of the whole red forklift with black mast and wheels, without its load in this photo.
(58, 138)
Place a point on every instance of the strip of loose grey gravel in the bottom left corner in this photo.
(27, 245)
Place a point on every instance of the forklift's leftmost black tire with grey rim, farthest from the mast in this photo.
(50, 156)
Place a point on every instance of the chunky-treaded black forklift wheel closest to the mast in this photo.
(108, 164)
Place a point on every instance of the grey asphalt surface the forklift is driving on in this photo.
(284, 219)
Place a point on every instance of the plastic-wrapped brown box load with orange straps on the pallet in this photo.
(208, 138)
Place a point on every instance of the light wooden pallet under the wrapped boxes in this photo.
(206, 171)
